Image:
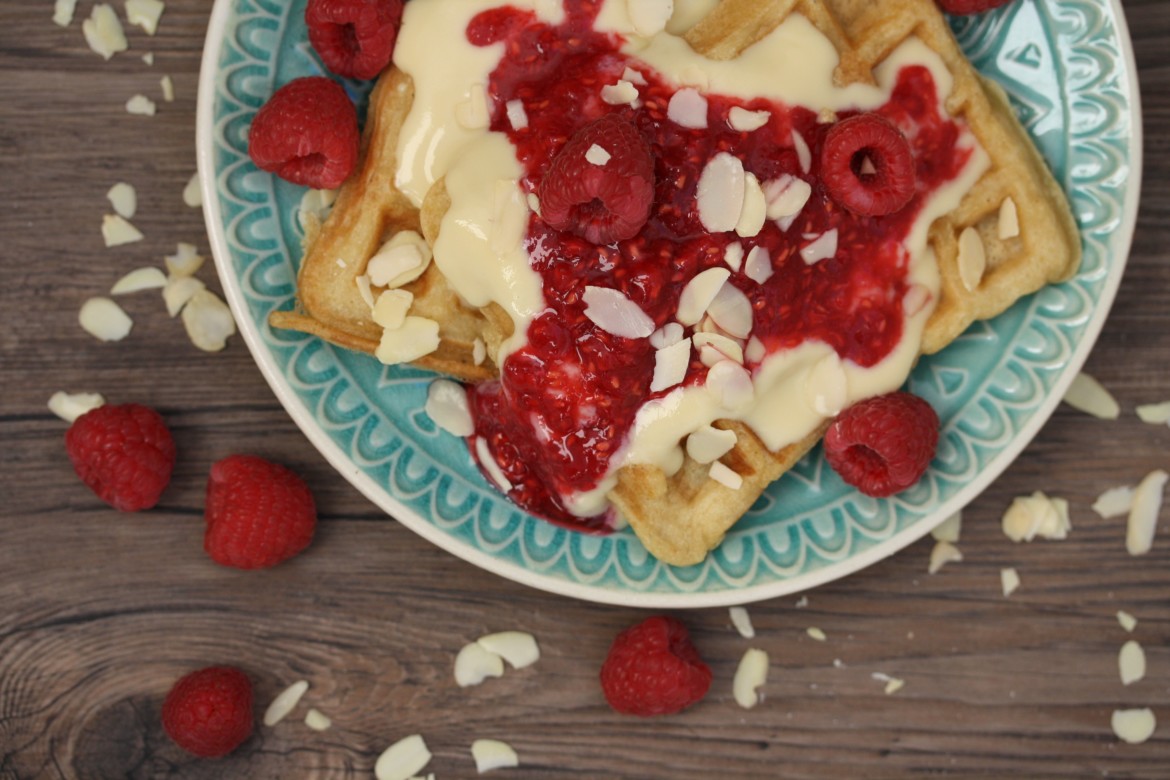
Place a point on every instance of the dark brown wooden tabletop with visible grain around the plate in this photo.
(101, 612)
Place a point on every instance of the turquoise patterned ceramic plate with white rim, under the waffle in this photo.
(1069, 67)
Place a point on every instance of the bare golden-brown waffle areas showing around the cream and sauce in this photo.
(682, 516)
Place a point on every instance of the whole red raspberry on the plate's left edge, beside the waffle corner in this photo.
(307, 134)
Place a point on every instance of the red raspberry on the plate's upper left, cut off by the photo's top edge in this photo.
(354, 38)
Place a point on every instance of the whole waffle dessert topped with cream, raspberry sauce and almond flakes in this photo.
(666, 245)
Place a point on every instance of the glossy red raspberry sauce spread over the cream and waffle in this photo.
(566, 403)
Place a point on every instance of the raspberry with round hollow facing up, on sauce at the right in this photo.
(849, 144)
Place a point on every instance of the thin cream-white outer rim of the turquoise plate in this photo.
(1118, 247)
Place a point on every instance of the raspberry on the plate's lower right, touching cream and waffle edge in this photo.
(885, 444)
